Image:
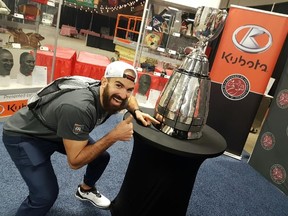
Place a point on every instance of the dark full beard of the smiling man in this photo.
(107, 102)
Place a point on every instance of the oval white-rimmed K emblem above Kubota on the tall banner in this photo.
(252, 38)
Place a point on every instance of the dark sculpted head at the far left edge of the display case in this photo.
(6, 65)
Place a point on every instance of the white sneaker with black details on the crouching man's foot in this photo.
(93, 196)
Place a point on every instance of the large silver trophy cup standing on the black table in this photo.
(182, 107)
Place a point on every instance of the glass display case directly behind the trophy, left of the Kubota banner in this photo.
(165, 38)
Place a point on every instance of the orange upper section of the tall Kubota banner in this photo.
(249, 47)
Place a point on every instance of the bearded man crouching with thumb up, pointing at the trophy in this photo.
(73, 115)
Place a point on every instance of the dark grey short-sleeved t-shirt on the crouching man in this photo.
(73, 116)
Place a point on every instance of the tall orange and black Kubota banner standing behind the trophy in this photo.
(245, 59)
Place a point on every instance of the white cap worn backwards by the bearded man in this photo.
(118, 69)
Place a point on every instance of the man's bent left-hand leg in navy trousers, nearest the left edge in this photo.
(40, 178)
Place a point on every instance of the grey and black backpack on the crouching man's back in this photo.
(57, 88)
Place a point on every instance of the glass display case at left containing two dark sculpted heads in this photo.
(21, 37)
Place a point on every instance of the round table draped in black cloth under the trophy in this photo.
(162, 171)
